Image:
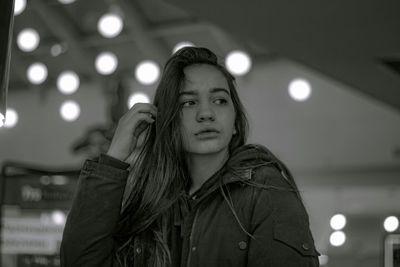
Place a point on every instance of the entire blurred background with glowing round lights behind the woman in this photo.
(320, 81)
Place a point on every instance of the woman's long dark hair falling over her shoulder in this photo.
(159, 175)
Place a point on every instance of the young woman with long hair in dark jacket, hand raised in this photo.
(194, 194)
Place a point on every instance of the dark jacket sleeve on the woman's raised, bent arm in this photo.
(88, 233)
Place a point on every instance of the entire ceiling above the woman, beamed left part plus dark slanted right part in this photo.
(357, 42)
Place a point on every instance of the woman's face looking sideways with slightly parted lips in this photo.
(207, 112)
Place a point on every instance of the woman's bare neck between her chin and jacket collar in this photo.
(202, 167)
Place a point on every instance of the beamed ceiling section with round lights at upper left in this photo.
(152, 28)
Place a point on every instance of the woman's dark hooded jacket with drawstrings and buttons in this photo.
(246, 214)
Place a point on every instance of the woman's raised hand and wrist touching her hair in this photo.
(130, 126)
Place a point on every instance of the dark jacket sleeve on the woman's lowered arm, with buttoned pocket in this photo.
(280, 225)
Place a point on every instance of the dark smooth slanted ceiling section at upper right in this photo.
(356, 42)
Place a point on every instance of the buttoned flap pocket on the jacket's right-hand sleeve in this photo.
(297, 237)
